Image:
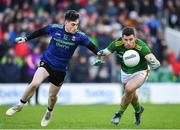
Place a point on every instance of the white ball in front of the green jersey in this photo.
(131, 58)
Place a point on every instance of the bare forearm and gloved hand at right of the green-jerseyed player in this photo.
(153, 62)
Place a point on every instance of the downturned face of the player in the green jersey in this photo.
(129, 41)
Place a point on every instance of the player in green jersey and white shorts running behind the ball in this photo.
(132, 77)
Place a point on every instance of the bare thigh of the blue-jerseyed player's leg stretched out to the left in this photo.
(40, 75)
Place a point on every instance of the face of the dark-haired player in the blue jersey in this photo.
(71, 26)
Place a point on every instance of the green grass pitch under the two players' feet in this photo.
(92, 117)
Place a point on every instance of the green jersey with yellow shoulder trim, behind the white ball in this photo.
(140, 46)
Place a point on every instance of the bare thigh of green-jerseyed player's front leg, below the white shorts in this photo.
(135, 82)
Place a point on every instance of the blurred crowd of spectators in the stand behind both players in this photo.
(102, 20)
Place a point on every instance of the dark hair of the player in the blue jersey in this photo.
(71, 15)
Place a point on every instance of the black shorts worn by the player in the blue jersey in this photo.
(55, 77)
